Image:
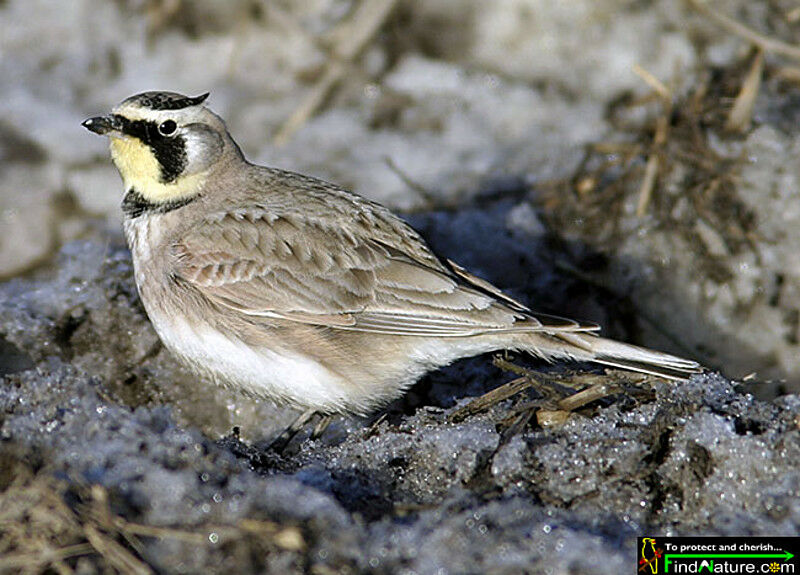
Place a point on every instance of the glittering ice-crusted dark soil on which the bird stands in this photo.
(105, 440)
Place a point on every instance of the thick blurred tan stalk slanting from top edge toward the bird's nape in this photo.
(351, 38)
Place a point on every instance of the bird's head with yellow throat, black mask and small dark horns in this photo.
(164, 144)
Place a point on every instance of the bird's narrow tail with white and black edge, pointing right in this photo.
(585, 346)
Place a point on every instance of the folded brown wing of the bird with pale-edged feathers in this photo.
(374, 274)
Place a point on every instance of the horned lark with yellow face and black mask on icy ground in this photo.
(297, 290)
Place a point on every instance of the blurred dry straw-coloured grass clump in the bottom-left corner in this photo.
(48, 525)
